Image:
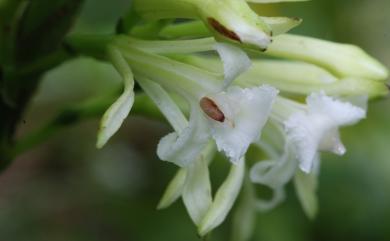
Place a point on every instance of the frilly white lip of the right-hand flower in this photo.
(316, 129)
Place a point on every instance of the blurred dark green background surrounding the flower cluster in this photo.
(68, 190)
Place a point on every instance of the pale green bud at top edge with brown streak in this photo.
(231, 20)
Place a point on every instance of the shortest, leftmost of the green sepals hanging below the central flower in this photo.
(174, 189)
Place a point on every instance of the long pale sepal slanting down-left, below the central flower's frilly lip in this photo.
(224, 199)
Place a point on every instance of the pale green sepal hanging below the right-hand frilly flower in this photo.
(306, 186)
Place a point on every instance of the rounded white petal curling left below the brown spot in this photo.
(184, 147)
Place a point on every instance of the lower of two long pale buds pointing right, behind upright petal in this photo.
(297, 78)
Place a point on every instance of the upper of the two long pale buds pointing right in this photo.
(341, 59)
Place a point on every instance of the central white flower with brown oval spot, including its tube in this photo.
(243, 111)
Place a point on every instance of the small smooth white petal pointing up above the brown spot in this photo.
(235, 61)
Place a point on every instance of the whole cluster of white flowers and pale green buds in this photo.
(287, 100)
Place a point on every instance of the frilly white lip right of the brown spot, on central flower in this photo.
(246, 112)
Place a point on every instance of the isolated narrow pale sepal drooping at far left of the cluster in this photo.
(116, 114)
